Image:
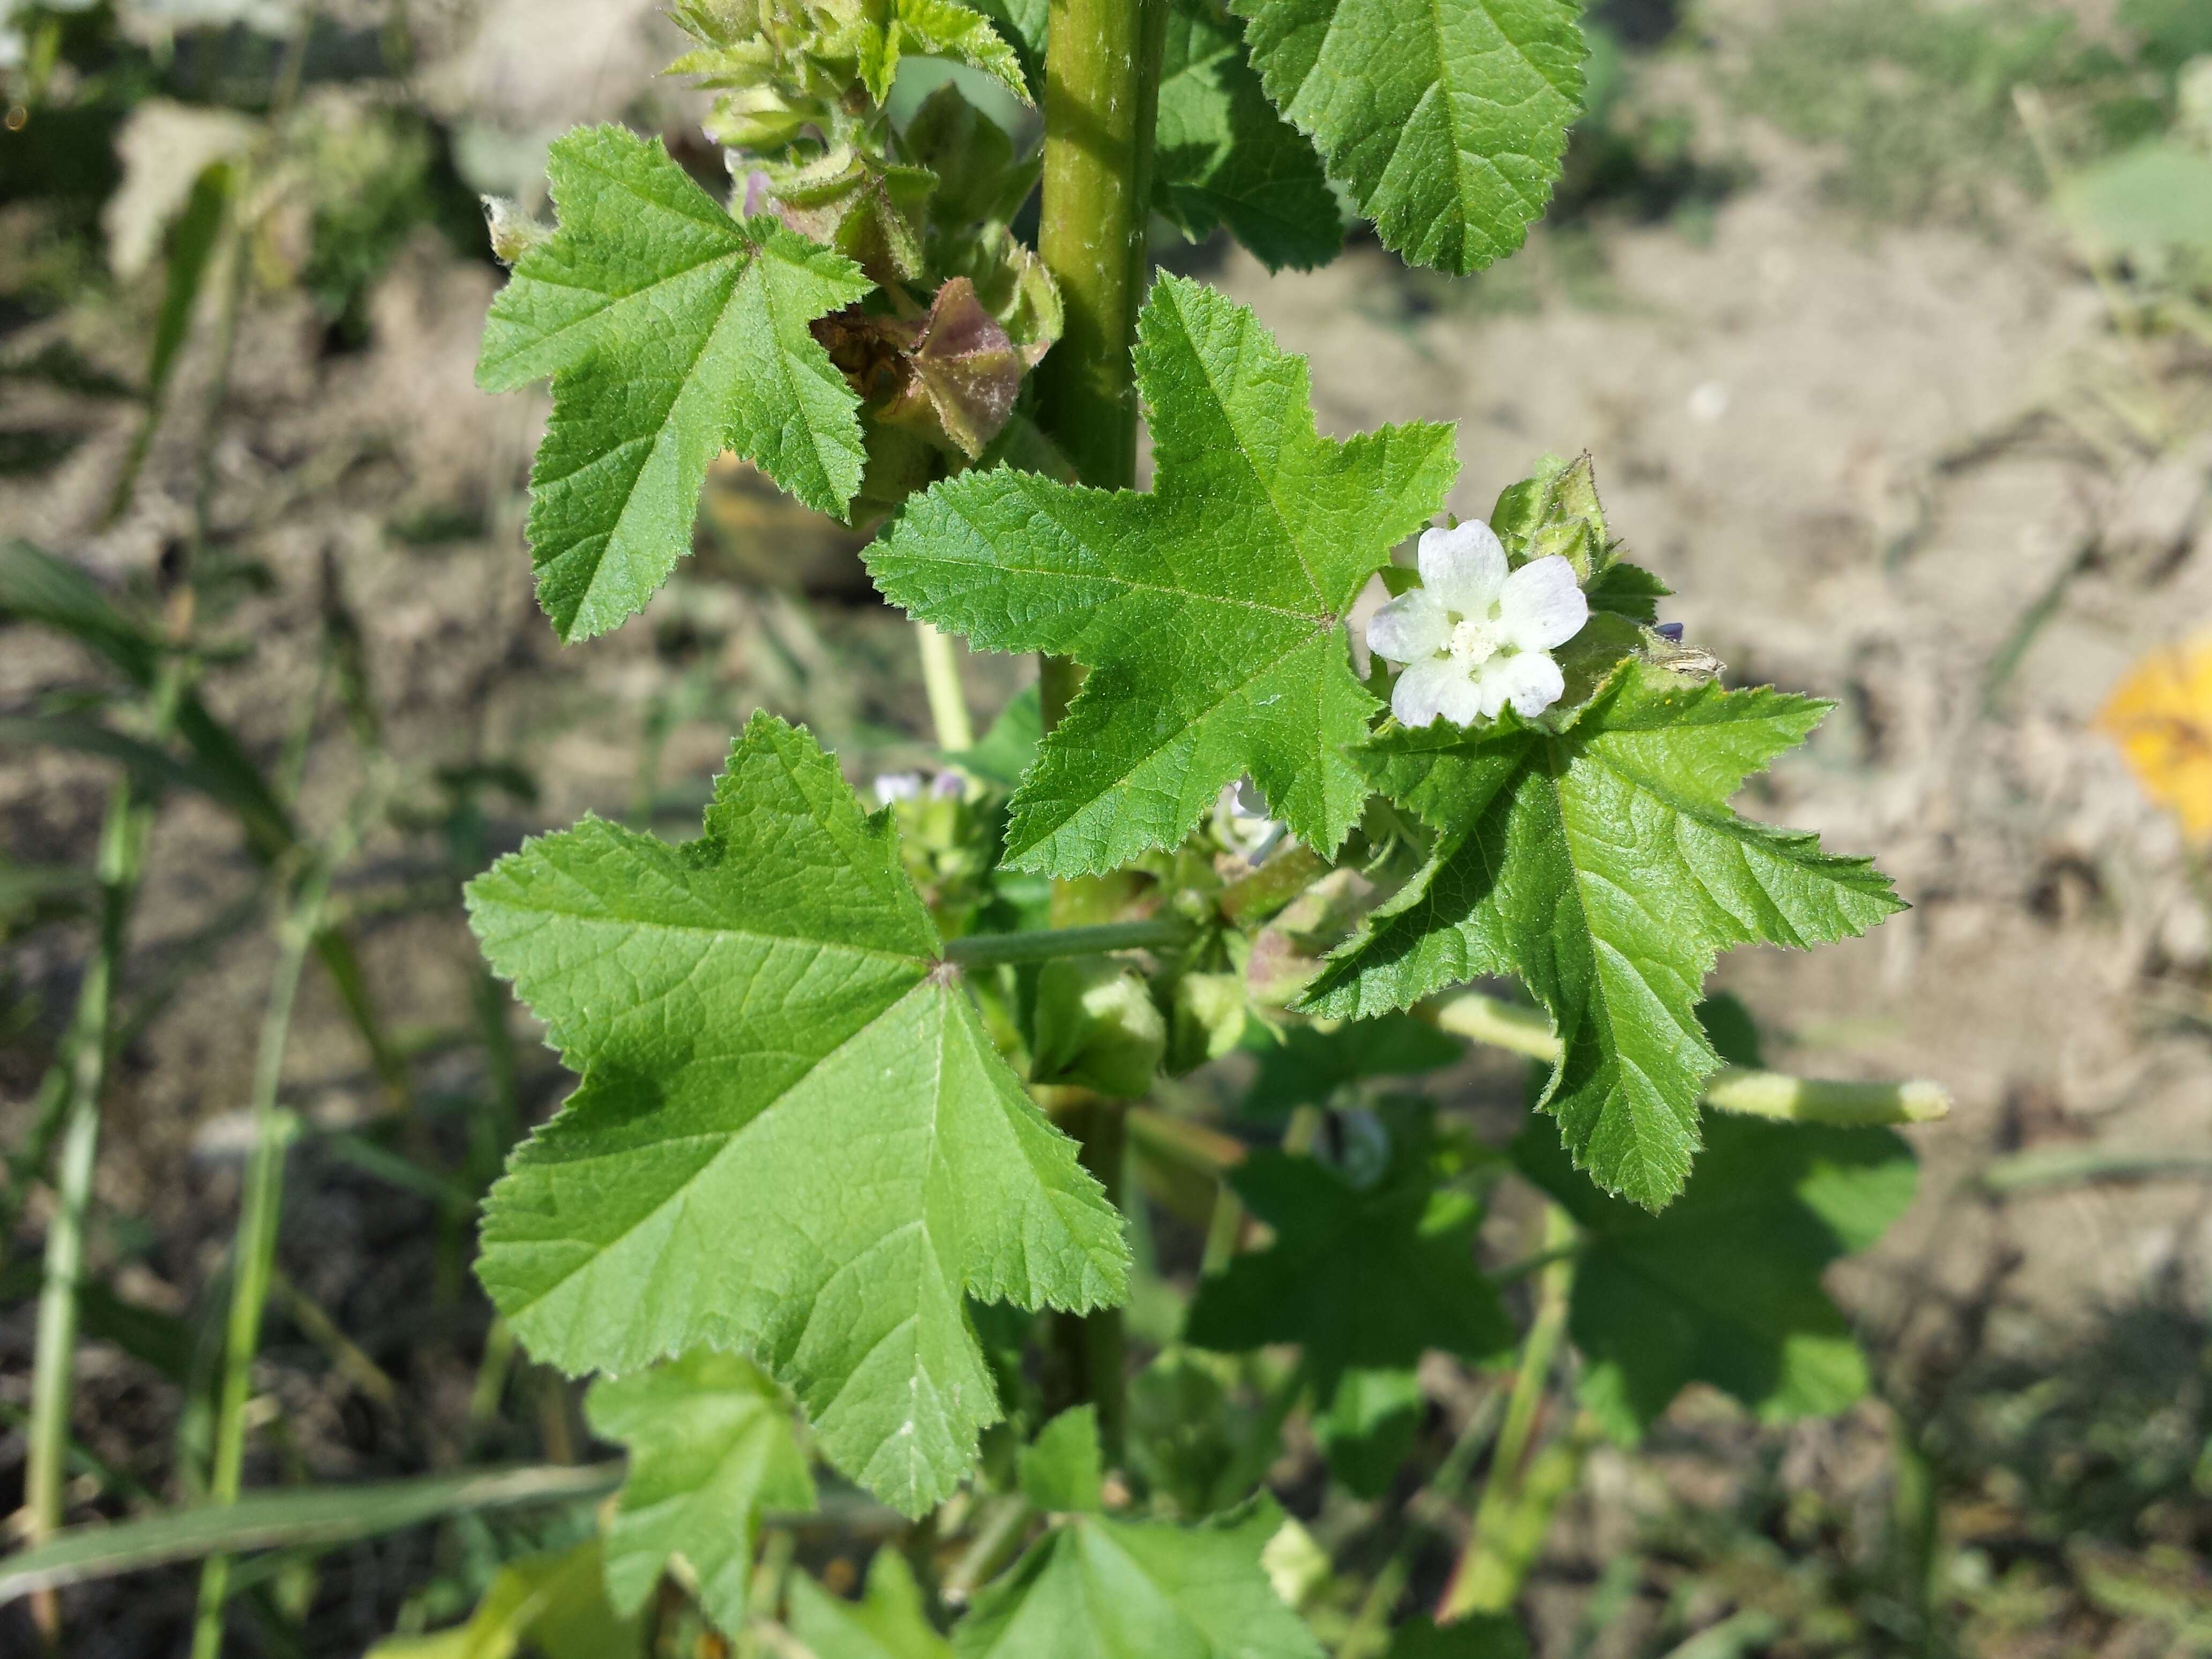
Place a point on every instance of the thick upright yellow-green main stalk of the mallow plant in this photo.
(1100, 105)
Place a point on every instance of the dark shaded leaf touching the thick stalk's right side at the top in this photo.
(1224, 158)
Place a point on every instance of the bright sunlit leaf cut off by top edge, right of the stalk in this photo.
(1446, 118)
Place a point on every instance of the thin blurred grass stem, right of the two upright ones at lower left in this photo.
(253, 1255)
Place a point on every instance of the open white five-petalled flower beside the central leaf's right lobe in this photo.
(1474, 638)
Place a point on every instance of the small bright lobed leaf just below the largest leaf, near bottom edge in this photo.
(711, 1448)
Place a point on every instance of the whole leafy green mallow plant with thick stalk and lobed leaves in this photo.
(870, 1138)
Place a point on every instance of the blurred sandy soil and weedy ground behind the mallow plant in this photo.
(1890, 326)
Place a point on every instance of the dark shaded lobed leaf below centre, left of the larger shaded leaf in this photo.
(1364, 1280)
